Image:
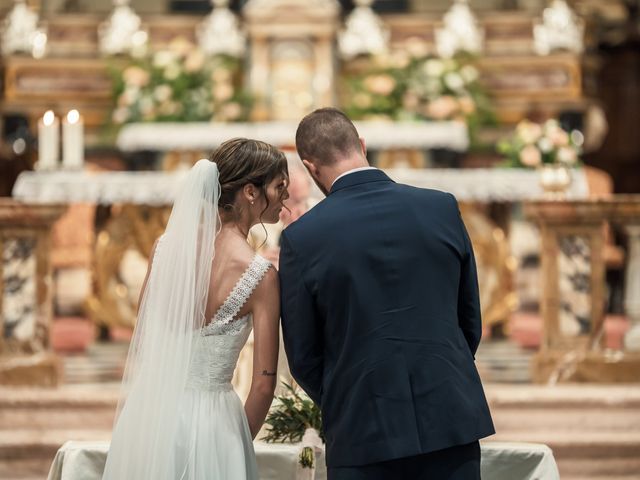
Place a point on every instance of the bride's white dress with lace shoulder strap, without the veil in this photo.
(213, 440)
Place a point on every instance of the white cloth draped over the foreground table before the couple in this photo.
(500, 461)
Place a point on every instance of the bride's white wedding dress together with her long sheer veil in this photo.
(179, 417)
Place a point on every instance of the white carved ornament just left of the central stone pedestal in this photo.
(220, 33)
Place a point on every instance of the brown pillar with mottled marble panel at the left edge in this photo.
(25, 294)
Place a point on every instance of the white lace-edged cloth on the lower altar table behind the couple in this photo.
(159, 188)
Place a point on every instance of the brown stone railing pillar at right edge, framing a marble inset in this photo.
(582, 358)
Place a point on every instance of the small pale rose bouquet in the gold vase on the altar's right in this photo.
(533, 144)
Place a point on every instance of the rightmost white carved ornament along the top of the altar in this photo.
(560, 29)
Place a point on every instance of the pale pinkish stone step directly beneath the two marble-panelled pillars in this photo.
(563, 408)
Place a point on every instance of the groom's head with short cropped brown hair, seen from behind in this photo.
(328, 144)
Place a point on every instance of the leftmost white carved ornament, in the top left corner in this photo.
(20, 32)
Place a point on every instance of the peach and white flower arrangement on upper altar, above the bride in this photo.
(179, 84)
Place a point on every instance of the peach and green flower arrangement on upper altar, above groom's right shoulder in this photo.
(418, 88)
